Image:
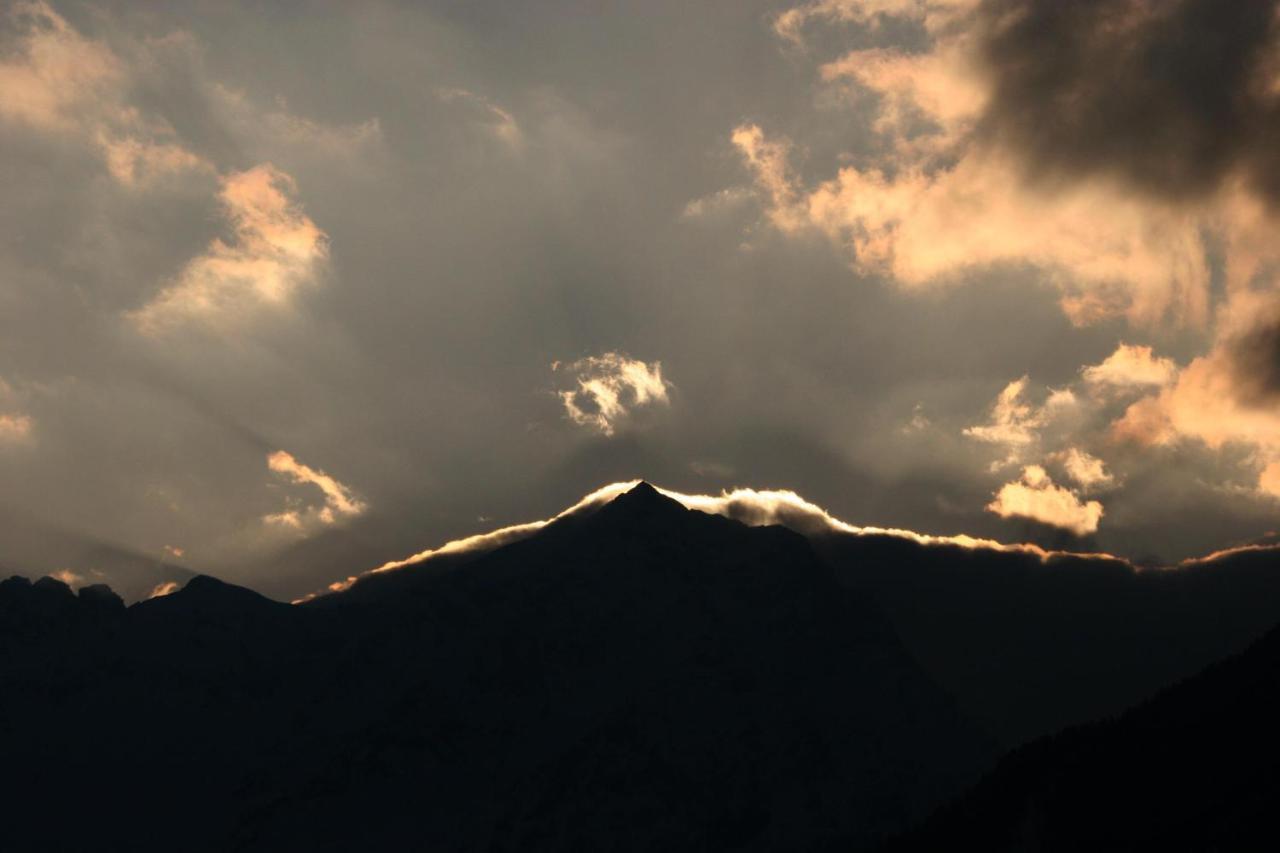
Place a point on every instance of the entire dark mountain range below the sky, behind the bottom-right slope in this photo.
(634, 677)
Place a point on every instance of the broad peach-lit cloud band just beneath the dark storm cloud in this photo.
(1108, 253)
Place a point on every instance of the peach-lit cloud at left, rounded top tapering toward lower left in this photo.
(276, 250)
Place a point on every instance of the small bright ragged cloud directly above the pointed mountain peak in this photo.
(609, 389)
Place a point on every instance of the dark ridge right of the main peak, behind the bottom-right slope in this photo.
(1031, 646)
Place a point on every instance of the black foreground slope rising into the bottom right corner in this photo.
(1195, 769)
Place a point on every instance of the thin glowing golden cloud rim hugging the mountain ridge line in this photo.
(757, 508)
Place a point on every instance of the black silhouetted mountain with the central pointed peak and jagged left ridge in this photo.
(643, 678)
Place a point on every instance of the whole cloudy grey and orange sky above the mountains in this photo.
(292, 291)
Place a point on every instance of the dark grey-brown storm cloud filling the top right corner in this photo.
(1174, 97)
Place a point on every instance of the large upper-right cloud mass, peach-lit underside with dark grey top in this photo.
(1030, 134)
